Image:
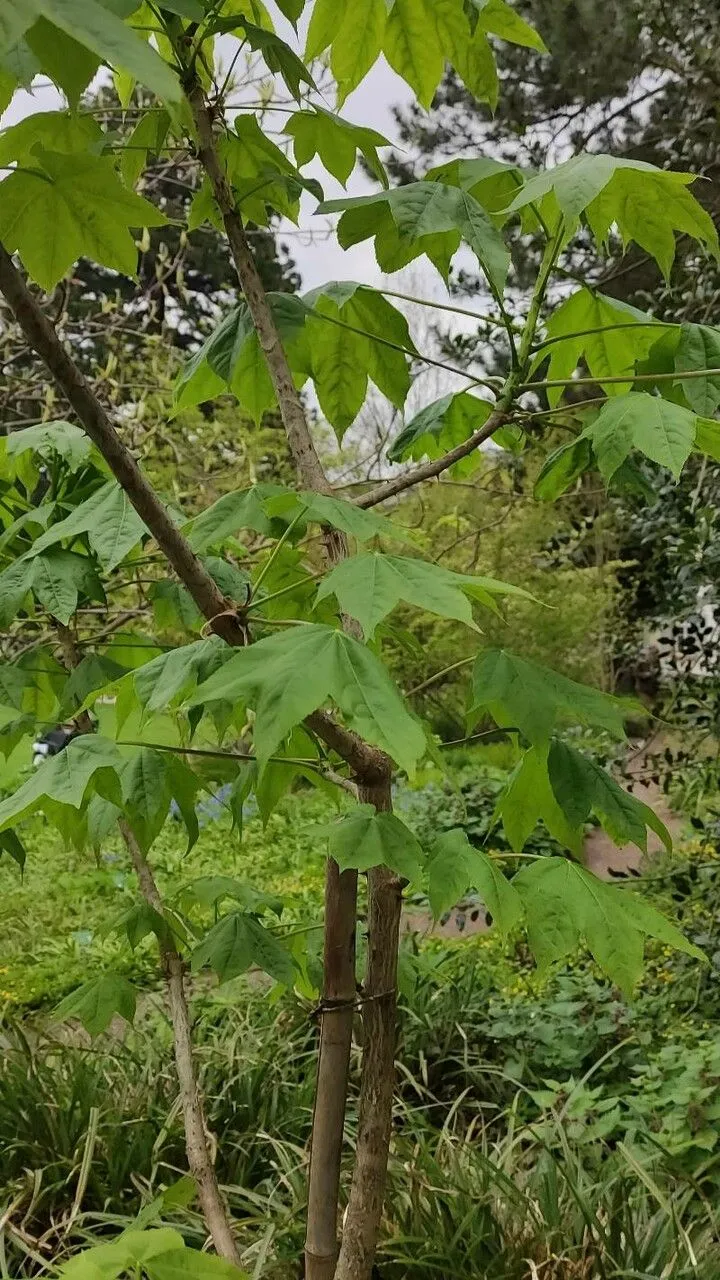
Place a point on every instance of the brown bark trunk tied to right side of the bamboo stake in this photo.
(377, 1089)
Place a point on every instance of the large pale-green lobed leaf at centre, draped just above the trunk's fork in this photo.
(288, 676)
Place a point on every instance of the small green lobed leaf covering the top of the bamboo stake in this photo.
(367, 839)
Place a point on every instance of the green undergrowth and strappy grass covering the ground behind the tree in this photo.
(545, 1130)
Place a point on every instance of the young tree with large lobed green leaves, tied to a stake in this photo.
(277, 629)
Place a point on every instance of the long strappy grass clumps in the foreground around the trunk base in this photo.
(92, 1140)
